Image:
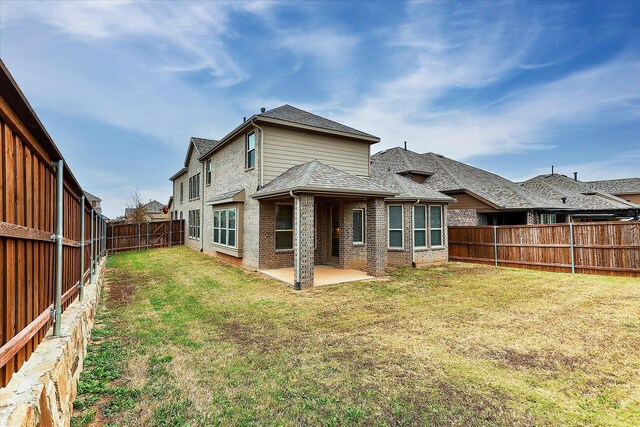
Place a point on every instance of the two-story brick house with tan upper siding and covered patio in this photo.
(287, 188)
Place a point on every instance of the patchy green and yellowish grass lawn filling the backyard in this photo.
(184, 339)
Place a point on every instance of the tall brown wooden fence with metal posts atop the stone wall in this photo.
(43, 262)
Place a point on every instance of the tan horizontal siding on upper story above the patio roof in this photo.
(284, 148)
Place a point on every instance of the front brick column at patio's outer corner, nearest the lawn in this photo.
(305, 251)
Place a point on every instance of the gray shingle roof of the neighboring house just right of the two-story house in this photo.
(449, 175)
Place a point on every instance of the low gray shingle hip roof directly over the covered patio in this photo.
(316, 177)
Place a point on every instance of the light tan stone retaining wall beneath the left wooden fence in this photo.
(42, 392)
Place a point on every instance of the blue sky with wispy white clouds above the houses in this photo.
(509, 87)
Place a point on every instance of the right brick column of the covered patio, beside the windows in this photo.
(376, 238)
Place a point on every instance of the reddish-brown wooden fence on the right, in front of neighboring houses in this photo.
(608, 248)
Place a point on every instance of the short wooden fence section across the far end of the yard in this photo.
(144, 235)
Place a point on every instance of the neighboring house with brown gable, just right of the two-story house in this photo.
(481, 197)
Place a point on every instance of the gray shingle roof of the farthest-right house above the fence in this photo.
(579, 195)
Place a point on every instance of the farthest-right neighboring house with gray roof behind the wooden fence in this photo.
(580, 199)
